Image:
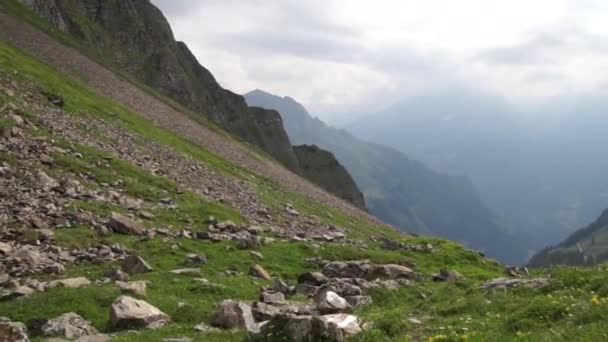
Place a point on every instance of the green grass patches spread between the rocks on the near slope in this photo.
(564, 311)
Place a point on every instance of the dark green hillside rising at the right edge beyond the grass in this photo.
(587, 246)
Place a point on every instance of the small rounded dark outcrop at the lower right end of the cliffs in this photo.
(322, 168)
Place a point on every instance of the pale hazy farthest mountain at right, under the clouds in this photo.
(541, 171)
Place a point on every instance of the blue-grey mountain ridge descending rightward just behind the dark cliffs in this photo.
(402, 191)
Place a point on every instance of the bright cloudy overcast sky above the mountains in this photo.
(346, 56)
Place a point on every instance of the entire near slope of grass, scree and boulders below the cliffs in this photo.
(122, 219)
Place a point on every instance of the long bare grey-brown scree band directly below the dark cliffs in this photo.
(141, 101)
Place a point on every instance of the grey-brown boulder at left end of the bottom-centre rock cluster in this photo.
(231, 314)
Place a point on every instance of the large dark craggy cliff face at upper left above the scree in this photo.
(135, 37)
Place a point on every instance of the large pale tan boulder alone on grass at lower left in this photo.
(130, 313)
